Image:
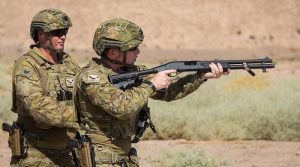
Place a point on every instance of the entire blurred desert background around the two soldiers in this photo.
(233, 108)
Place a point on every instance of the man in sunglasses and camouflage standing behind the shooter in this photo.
(42, 93)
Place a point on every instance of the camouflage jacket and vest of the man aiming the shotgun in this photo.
(111, 112)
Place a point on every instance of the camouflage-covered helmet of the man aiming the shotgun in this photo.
(117, 33)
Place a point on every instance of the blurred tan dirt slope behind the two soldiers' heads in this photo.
(255, 26)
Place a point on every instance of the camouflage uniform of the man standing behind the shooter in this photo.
(48, 122)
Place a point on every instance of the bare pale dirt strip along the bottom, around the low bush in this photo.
(230, 153)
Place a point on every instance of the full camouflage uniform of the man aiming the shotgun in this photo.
(109, 114)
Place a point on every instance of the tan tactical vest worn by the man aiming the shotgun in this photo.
(101, 127)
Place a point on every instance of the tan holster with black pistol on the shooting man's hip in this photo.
(82, 151)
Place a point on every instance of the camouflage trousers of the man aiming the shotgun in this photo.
(105, 157)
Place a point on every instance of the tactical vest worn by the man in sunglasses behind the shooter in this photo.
(56, 81)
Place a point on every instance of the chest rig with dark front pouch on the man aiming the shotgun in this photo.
(97, 121)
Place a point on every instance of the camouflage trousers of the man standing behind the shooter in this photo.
(41, 157)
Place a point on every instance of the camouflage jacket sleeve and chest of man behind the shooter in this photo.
(31, 102)
